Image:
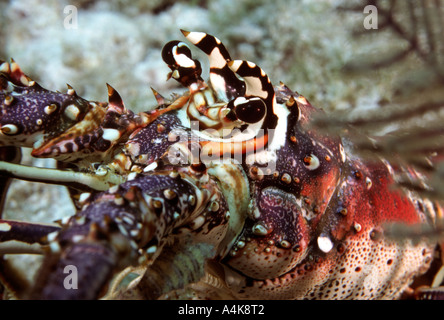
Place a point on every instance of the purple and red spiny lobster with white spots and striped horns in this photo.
(225, 192)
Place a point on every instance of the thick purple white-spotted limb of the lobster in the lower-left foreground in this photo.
(127, 223)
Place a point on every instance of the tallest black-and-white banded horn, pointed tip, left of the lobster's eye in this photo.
(223, 80)
